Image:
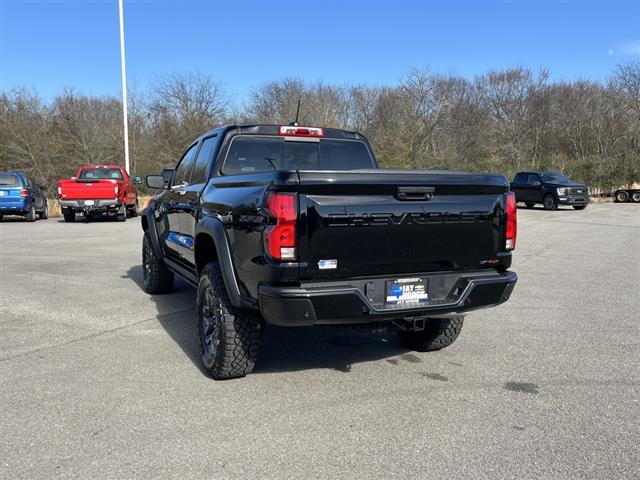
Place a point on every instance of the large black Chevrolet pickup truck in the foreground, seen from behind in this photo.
(292, 225)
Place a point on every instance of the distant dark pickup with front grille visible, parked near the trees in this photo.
(549, 189)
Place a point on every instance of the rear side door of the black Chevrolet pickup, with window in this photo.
(191, 198)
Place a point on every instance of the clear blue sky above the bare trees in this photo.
(49, 45)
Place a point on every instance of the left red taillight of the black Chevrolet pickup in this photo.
(280, 239)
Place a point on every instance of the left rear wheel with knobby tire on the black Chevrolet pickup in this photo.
(229, 337)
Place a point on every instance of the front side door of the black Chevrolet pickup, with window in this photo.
(174, 206)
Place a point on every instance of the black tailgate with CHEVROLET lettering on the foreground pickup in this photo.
(380, 222)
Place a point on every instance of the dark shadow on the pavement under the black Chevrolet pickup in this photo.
(282, 349)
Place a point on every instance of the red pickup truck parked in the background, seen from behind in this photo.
(97, 190)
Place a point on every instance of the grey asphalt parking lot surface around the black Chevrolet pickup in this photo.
(100, 380)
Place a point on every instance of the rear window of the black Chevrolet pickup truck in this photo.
(263, 154)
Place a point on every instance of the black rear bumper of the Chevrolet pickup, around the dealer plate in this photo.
(353, 302)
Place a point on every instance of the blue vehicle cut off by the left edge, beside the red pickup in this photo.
(19, 195)
